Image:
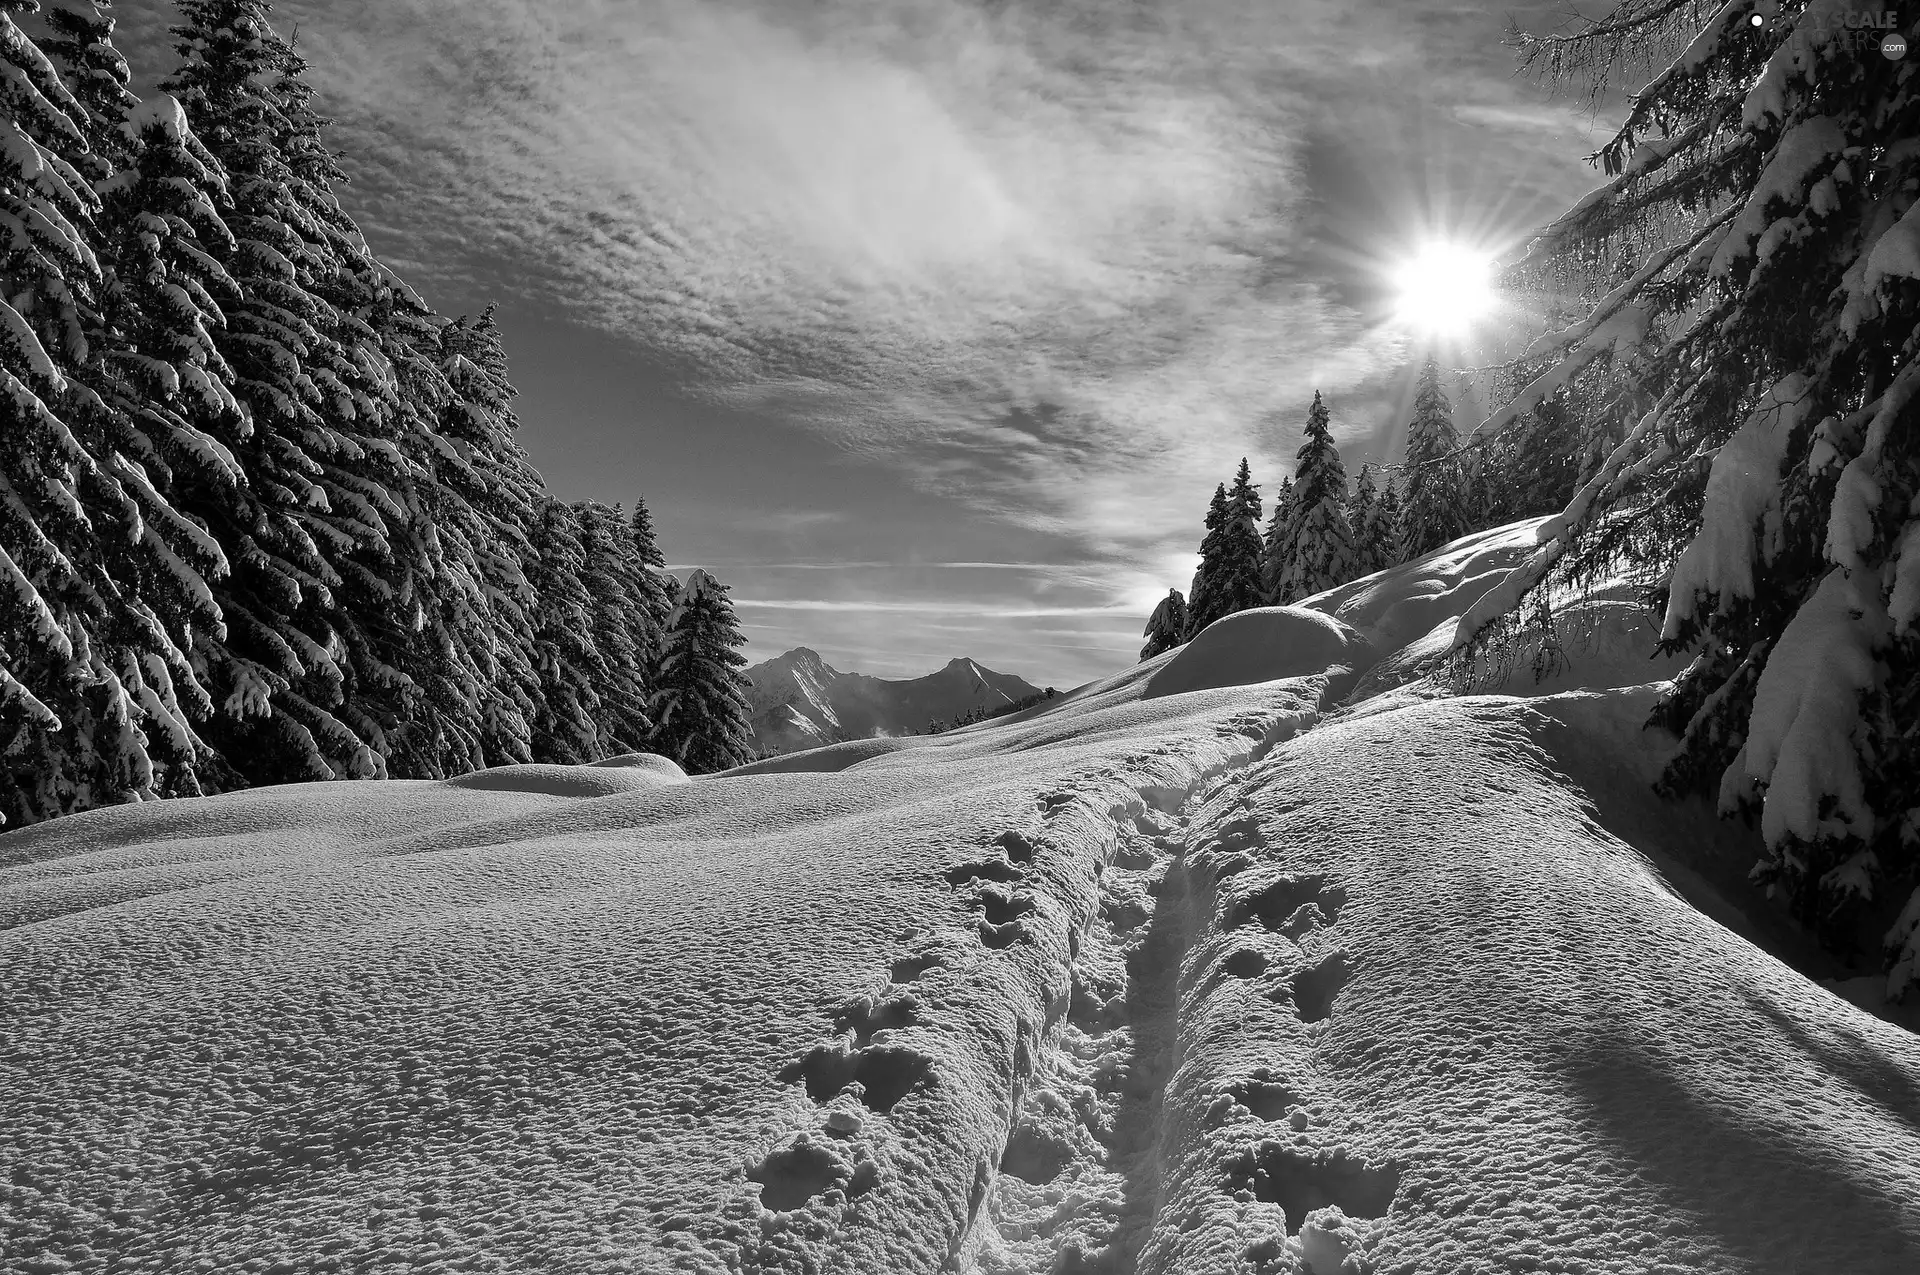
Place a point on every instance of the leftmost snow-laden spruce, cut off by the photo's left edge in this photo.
(101, 579)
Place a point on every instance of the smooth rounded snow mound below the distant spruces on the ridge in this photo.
(1260, 646)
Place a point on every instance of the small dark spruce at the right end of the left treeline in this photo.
(700, 706)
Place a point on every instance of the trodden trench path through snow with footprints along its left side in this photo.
(1055, 1011)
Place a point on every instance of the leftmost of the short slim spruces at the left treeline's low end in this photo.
(565, 660)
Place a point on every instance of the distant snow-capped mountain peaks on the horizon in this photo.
(800, 702)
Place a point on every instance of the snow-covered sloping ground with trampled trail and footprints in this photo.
(1260, 957)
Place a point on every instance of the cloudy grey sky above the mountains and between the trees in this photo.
(930, 325)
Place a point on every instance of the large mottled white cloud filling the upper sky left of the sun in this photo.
(1032, 254)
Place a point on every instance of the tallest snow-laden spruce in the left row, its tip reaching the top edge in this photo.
(310, 506)
